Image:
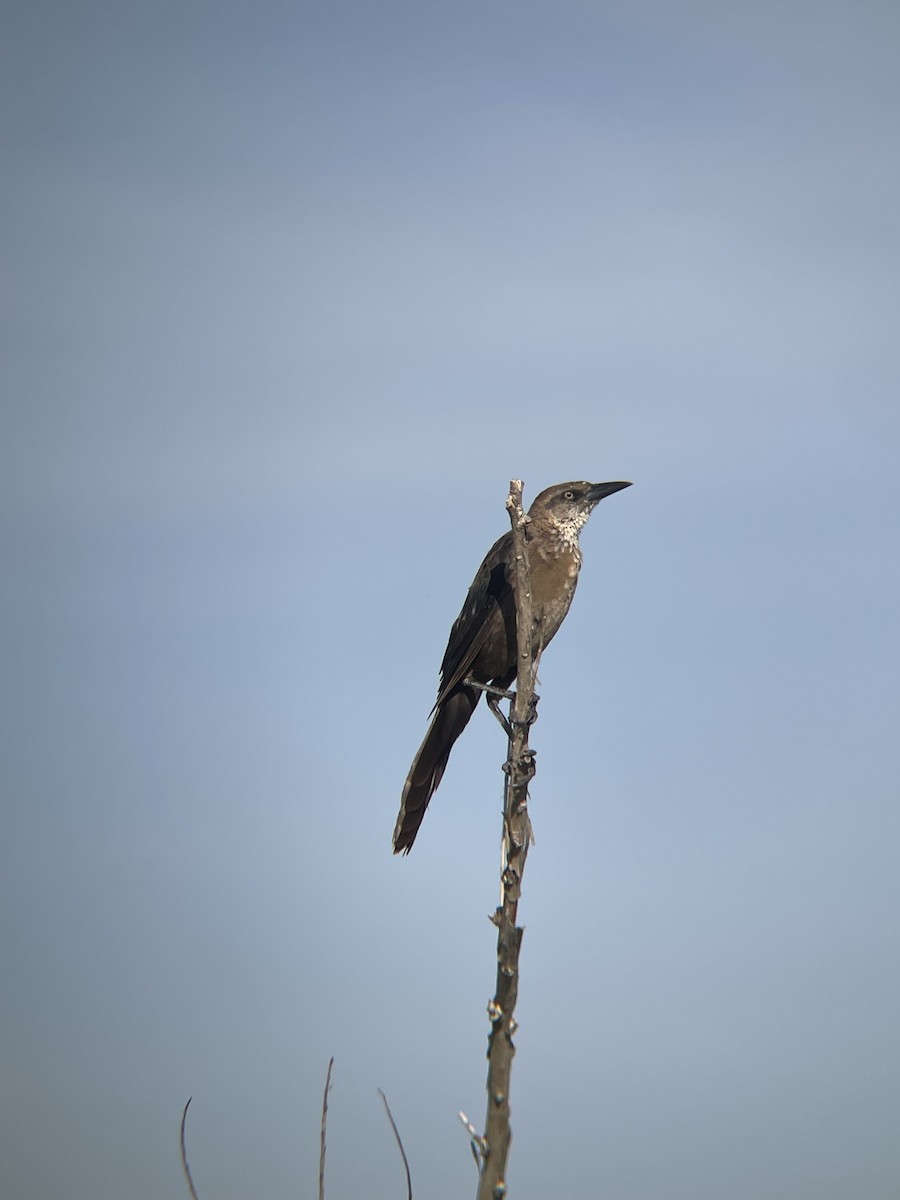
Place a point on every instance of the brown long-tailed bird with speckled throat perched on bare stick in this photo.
(482, 649)
